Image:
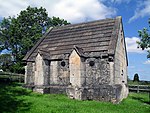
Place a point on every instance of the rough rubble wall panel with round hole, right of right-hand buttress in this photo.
(97, 72)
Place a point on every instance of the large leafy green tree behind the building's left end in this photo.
(18, 35)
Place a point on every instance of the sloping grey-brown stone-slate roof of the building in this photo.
(97, 36)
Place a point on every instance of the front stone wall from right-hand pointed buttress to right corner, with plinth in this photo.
(94, 79)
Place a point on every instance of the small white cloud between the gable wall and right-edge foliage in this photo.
(132, 45)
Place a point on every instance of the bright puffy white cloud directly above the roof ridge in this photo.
(82, 10)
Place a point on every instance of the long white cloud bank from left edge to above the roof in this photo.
(72, 10)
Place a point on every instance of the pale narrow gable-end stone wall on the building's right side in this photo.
(120, 64)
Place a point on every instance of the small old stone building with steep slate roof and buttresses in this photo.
(86, 61)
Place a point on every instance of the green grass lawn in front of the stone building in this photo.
(15, 99)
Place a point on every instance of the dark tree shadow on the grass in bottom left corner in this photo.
(10, 97)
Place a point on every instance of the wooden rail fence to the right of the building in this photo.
(139, 88)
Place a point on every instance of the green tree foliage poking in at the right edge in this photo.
(144, 43)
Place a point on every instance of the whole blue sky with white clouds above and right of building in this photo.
(135, 15)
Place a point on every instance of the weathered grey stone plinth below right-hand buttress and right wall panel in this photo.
(110, 93)
